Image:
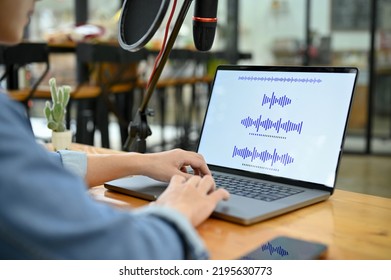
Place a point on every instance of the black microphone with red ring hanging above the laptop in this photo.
(204, 24)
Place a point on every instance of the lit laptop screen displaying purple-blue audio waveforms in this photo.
(281, 121)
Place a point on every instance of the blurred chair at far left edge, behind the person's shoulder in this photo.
(17, 57)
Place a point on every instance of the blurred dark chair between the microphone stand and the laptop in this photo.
(188, 70)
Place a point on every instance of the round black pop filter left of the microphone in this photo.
(139, 21)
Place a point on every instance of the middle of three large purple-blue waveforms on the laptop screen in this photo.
(268, 124)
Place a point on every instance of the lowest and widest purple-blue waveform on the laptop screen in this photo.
(263, 156)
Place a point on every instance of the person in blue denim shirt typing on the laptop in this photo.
(46, 213)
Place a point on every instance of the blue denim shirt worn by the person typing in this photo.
(47, 213)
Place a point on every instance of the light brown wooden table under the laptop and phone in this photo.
(353, 225)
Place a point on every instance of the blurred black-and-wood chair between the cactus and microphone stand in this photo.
(114, 72)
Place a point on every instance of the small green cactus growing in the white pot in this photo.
(55, 111)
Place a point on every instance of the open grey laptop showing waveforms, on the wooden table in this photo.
(281, 127)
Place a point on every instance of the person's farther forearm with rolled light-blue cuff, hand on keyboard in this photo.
(100, 168)
